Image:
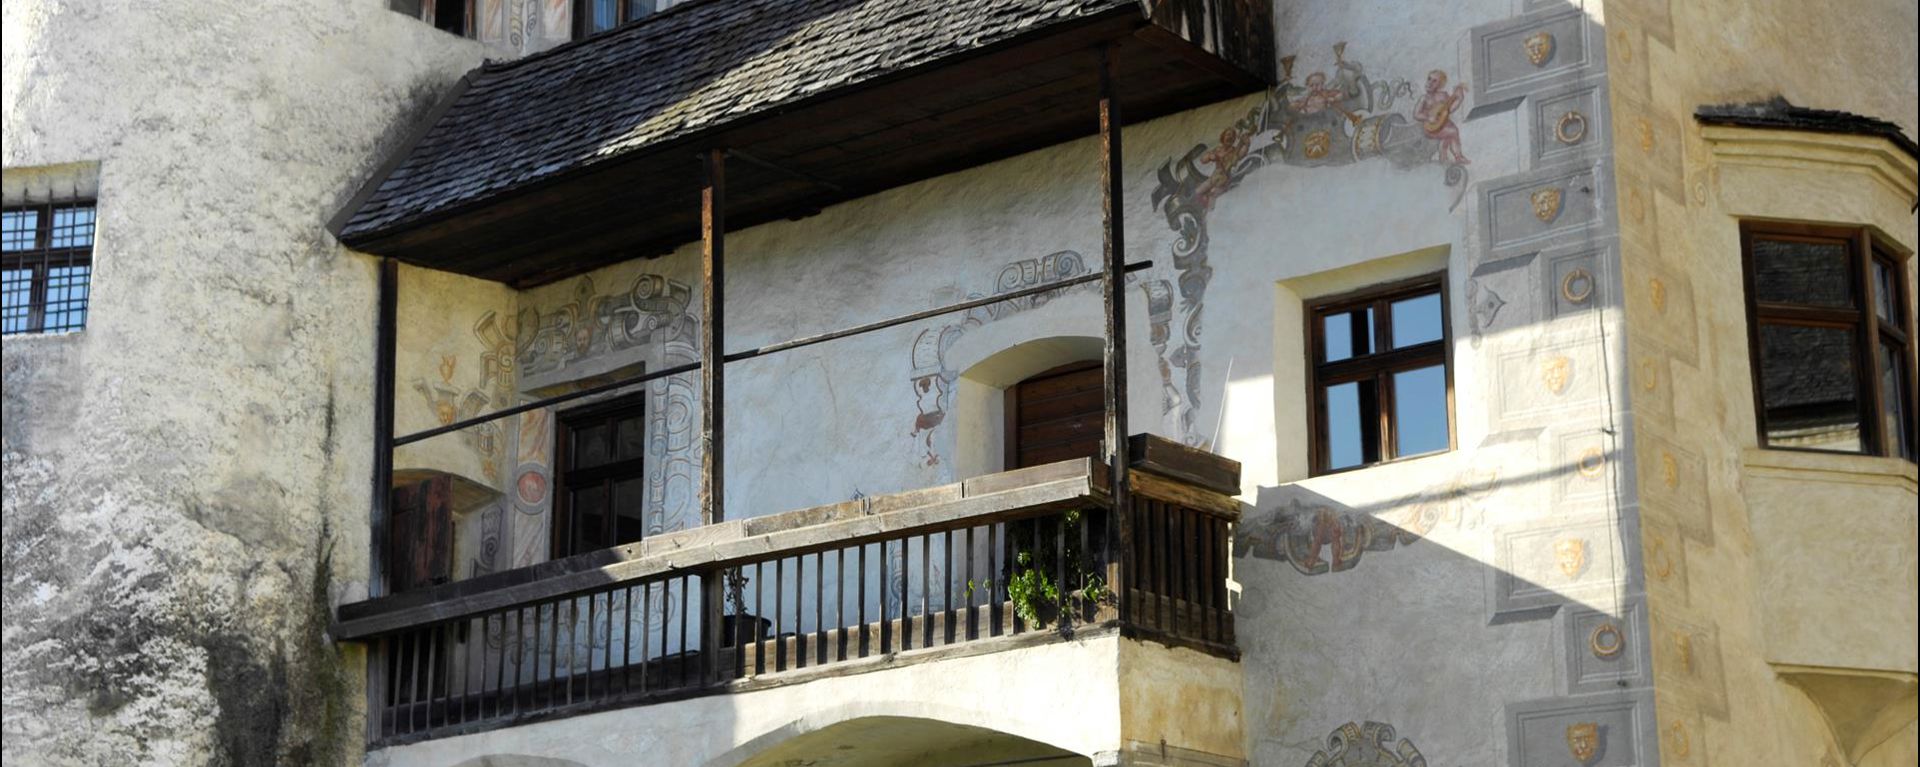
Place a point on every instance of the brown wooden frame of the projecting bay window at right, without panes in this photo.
(1869, 330)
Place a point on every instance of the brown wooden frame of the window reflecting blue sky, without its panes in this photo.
(1378, 366)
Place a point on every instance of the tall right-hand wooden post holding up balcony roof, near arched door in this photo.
(1115, 293)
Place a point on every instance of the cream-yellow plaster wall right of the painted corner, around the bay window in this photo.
(1783, 585)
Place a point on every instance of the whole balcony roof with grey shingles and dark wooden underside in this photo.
(569, 161)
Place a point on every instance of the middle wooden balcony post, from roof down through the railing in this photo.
(713, 397)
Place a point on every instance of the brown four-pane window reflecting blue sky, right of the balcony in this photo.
(1380, 385)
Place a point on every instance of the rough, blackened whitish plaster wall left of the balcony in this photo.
(187, 478)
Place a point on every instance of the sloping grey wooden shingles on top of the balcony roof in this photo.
(675, 76)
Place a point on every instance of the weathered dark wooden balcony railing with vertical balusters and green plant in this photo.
(980, 566)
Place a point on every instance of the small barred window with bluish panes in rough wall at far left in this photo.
(47, 262)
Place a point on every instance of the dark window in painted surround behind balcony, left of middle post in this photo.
(602, 485)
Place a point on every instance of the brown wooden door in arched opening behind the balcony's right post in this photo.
(1057, 416)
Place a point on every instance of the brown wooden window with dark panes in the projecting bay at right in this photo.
(1831, 332)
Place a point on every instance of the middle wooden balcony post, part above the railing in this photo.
(713, 341)
